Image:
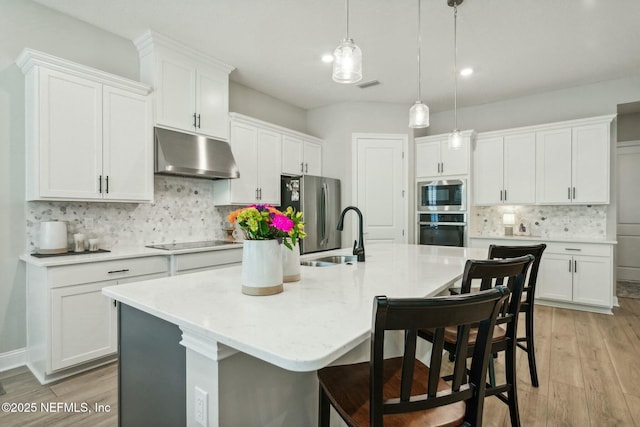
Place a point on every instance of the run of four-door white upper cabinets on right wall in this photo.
(557, 163)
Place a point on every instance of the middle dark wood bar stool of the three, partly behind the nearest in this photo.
(492, 273)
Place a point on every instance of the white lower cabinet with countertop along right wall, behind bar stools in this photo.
(572, 275)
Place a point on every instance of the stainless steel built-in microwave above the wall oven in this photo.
(442, 195)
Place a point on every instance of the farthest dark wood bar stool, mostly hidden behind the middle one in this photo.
(525, 343)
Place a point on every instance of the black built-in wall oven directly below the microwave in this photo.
(442, 228)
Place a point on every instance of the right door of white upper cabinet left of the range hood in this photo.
(128, 146)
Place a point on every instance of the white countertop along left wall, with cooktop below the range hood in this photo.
(116, 253)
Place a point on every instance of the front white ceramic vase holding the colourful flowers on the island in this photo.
(261, 267)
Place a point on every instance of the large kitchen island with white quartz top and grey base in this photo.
(229, 359)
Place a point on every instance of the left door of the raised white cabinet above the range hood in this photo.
(175, 93)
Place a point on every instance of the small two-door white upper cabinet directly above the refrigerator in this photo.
(301, 155)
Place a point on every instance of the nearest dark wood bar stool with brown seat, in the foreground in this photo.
(403, 391)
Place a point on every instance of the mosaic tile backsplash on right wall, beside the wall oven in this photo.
(544, 221)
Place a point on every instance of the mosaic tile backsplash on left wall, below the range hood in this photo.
(183, 211)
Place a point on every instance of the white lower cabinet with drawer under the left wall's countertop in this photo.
(69, 322)
